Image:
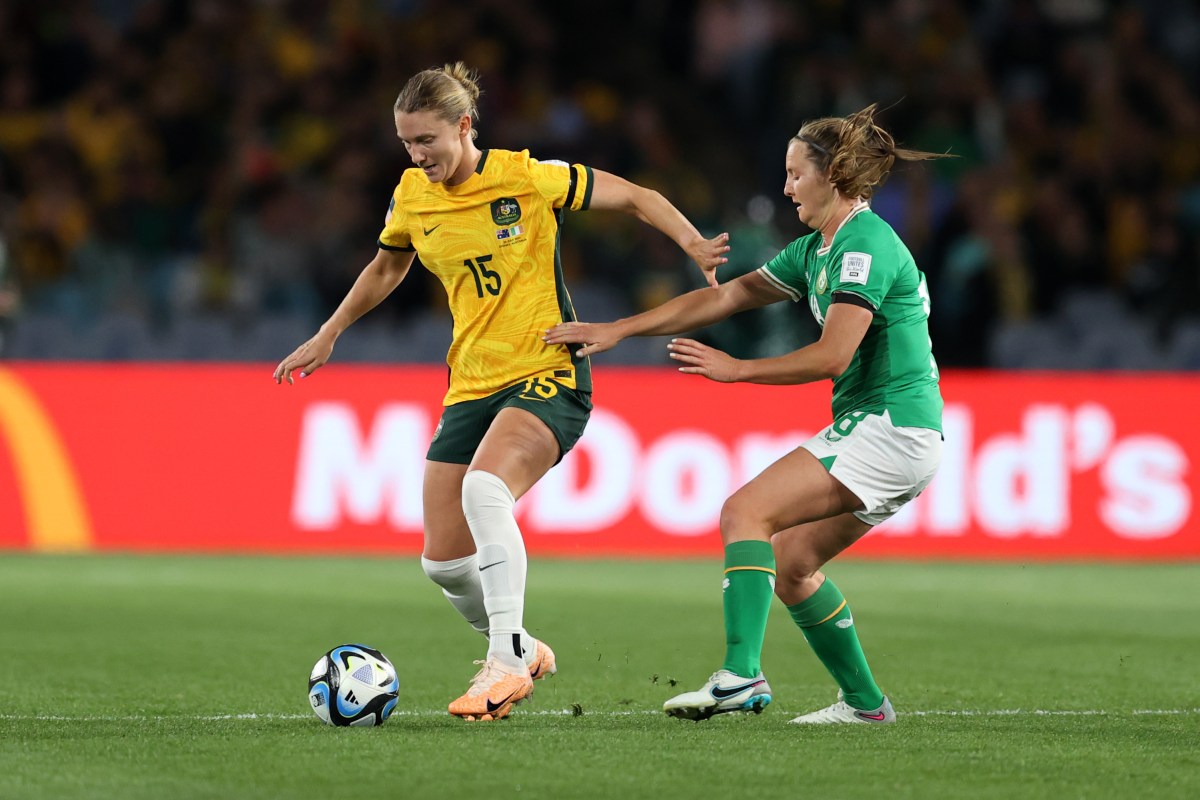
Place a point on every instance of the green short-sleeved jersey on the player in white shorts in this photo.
(868, 266)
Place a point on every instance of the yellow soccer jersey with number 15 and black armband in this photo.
(493, 242)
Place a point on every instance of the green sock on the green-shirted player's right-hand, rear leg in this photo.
(827, 624)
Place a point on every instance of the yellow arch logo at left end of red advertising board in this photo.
(56, 513)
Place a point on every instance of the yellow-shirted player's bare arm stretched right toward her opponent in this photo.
(614, 193)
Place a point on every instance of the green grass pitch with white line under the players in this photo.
(185, 677)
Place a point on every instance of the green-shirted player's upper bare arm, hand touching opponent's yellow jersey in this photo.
(683, 314)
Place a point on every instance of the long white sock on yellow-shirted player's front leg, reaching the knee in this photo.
(488, 503)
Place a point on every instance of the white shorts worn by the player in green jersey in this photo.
(885, 466)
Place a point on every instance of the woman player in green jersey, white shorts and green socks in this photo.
(884, 447)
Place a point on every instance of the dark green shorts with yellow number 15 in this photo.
(463, 428)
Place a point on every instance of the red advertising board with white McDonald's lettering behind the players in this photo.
(190, 458)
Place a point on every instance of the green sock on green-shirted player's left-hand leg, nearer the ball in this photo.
(749, 587)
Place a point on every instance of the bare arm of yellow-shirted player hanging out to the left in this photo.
(376, 282)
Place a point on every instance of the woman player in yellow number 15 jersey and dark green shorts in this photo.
(487, 224)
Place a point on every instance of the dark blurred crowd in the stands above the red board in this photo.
(203, 179)
